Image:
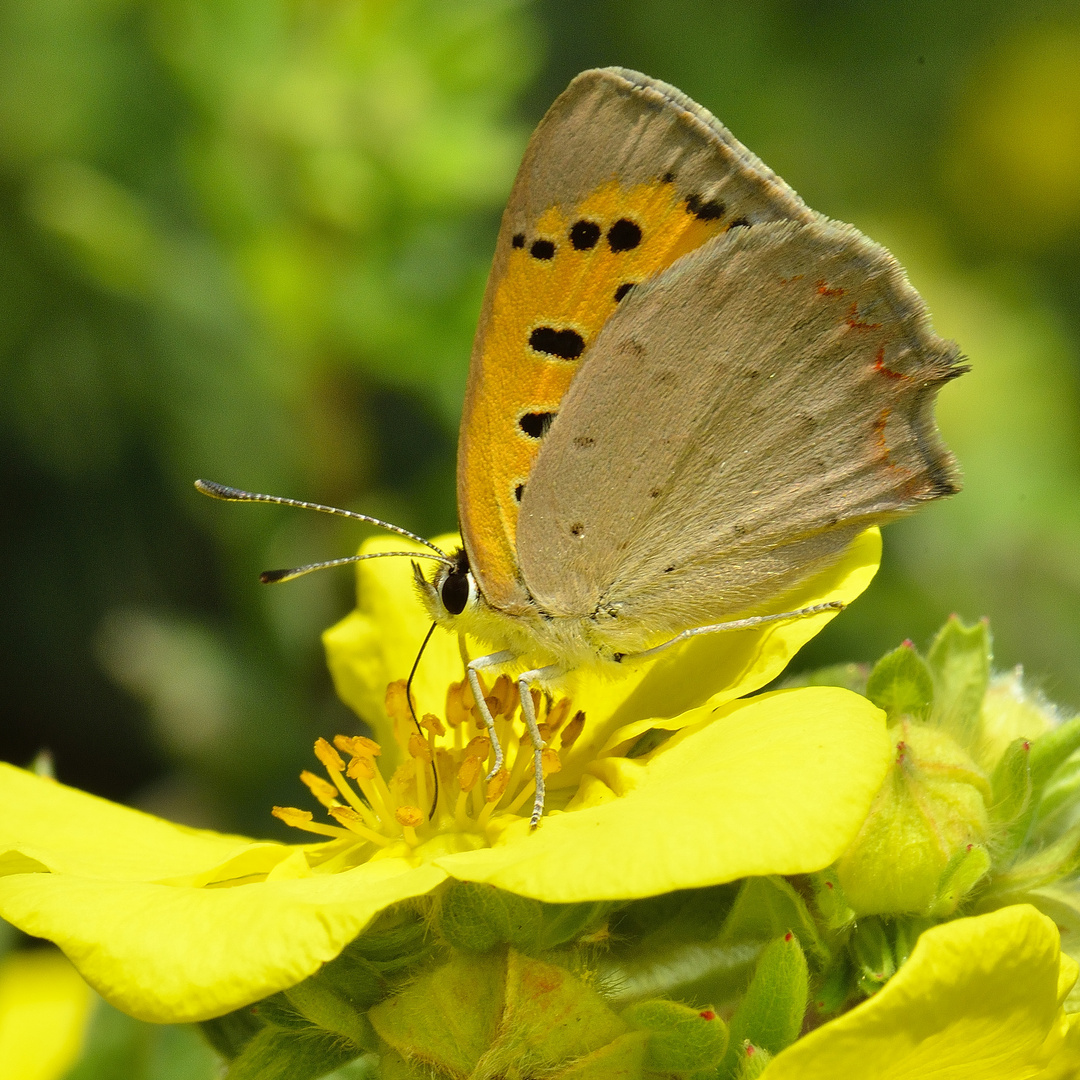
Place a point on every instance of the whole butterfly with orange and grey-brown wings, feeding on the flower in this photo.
(690, 394)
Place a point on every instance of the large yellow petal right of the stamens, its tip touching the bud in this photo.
(776, 785)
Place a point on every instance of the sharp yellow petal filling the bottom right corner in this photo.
(980, 1000)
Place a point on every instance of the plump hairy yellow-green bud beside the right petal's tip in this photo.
(930, 809)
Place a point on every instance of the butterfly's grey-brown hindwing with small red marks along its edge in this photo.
(738, 423)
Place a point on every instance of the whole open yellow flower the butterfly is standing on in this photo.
(172, 924)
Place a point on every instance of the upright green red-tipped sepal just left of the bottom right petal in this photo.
(771, 1015)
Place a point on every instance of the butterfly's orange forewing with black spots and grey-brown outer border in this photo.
(624, 177)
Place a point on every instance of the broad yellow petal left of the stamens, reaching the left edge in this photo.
(123, 895)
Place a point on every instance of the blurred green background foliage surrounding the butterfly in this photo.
(248, 240)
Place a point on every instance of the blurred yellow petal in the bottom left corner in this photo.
(45, 1007)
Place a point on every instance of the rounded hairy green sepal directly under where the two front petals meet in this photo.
(479, 919)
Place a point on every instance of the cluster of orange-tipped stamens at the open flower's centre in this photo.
(444, 782)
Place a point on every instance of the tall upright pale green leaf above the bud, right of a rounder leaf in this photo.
(960, 660)
